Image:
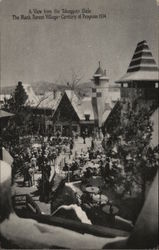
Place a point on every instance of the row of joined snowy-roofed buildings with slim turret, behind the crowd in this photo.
(66, 111)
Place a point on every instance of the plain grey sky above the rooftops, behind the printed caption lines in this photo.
(48, 50)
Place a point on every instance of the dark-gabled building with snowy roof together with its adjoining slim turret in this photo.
(85, 114)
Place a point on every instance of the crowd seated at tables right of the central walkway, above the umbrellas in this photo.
(92, 162)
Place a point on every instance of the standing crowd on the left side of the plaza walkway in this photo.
(39, 156)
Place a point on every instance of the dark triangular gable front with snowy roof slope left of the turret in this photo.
(73, 115)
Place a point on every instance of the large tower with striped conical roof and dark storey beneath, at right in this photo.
(142, 76)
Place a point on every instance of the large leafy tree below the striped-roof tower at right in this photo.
(128, 141)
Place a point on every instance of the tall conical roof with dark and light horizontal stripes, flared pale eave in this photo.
(142, 66)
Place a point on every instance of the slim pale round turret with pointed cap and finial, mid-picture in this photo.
(99, 94)
